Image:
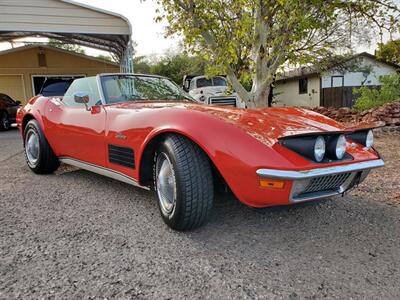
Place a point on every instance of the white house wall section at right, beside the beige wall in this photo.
(357, 78)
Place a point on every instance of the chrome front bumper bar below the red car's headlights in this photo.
(305, 174)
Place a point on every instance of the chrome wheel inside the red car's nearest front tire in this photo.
(166, 184)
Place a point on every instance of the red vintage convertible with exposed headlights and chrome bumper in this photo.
(145, 131)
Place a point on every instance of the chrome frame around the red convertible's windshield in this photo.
(102, 88)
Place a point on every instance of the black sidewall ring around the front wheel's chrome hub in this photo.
(174, 218)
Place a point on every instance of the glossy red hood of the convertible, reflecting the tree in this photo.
(267, 124)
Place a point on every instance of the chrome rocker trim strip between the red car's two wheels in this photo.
(101, 170)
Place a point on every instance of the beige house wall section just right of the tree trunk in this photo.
(286, 93)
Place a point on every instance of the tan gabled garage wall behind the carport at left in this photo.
(18, 67)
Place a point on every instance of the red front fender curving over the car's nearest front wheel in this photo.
(236, 154)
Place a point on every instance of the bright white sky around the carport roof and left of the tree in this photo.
(148, 34)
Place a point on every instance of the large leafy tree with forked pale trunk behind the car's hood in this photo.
(253, 39)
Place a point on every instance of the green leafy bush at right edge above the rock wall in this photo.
(369, 98)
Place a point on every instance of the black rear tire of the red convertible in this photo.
(47, 162)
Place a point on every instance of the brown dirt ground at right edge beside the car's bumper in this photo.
(383, 184)
